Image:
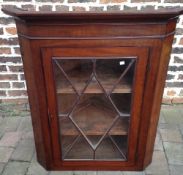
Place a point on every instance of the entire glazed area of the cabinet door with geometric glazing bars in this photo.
(94, 103)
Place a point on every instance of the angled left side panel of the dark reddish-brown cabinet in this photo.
(37, 99)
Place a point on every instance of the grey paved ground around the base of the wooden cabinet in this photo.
(21, 158)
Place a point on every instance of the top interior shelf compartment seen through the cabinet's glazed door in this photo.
(78, 73)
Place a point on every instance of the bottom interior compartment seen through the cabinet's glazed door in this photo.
(106, 150)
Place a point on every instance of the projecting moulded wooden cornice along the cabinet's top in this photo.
(135, 15)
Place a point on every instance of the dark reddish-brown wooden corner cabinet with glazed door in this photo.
(95, 84)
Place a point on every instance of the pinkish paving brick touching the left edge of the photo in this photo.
(10, 139)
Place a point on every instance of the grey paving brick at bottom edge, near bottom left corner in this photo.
(16, 168)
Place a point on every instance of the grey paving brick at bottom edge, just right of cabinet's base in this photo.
(159, 164)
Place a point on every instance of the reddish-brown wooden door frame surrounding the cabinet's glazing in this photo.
(141, 54)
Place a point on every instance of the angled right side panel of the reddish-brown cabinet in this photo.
(158, 93)
